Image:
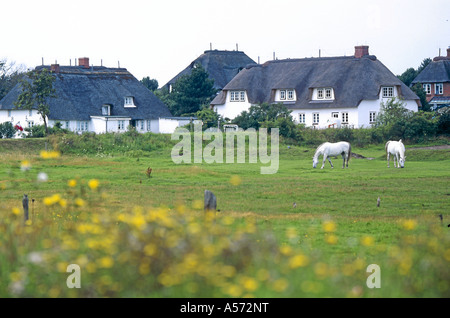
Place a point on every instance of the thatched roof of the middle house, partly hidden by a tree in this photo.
(221, 66)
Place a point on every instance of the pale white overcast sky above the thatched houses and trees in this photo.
(160, 38)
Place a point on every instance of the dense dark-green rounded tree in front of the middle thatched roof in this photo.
(191, 92)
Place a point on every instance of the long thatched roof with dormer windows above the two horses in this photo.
(353, 80)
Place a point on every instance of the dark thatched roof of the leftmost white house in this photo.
(82, 91)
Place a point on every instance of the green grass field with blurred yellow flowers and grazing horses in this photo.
(140, 236)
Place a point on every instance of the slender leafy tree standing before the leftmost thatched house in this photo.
(37, 88)
